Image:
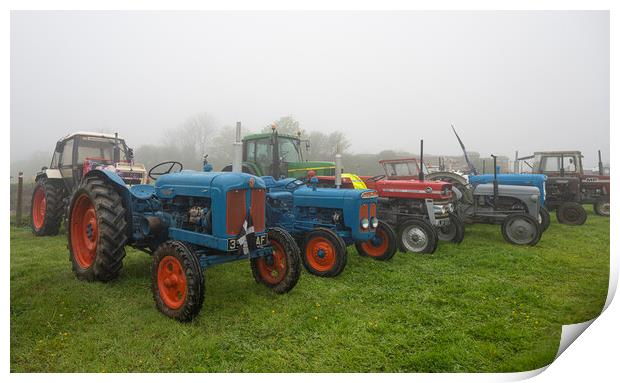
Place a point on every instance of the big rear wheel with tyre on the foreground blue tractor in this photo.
(96, 230)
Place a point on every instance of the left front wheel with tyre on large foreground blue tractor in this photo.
(177, 281)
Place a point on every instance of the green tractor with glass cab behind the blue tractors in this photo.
(279, 155)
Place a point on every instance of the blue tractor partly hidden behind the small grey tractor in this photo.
(473, 179)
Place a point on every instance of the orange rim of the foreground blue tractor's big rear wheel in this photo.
(84, 231)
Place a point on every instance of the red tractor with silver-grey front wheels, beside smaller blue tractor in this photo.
(422, 211)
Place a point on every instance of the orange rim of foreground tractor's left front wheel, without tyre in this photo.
(171, 282)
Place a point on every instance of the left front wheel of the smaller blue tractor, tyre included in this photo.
(324, 253)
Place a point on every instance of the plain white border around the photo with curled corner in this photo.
(593, 354)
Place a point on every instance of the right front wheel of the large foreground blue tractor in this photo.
(280, 271)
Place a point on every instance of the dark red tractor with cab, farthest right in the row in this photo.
(568, 188)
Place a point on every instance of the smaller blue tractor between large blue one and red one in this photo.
(325, 221)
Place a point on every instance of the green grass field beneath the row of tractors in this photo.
(481, 306)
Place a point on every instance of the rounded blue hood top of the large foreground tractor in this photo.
(203, 184)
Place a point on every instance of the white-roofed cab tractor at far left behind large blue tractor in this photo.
(74, 156)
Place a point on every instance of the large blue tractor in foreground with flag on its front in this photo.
(188, 220)
